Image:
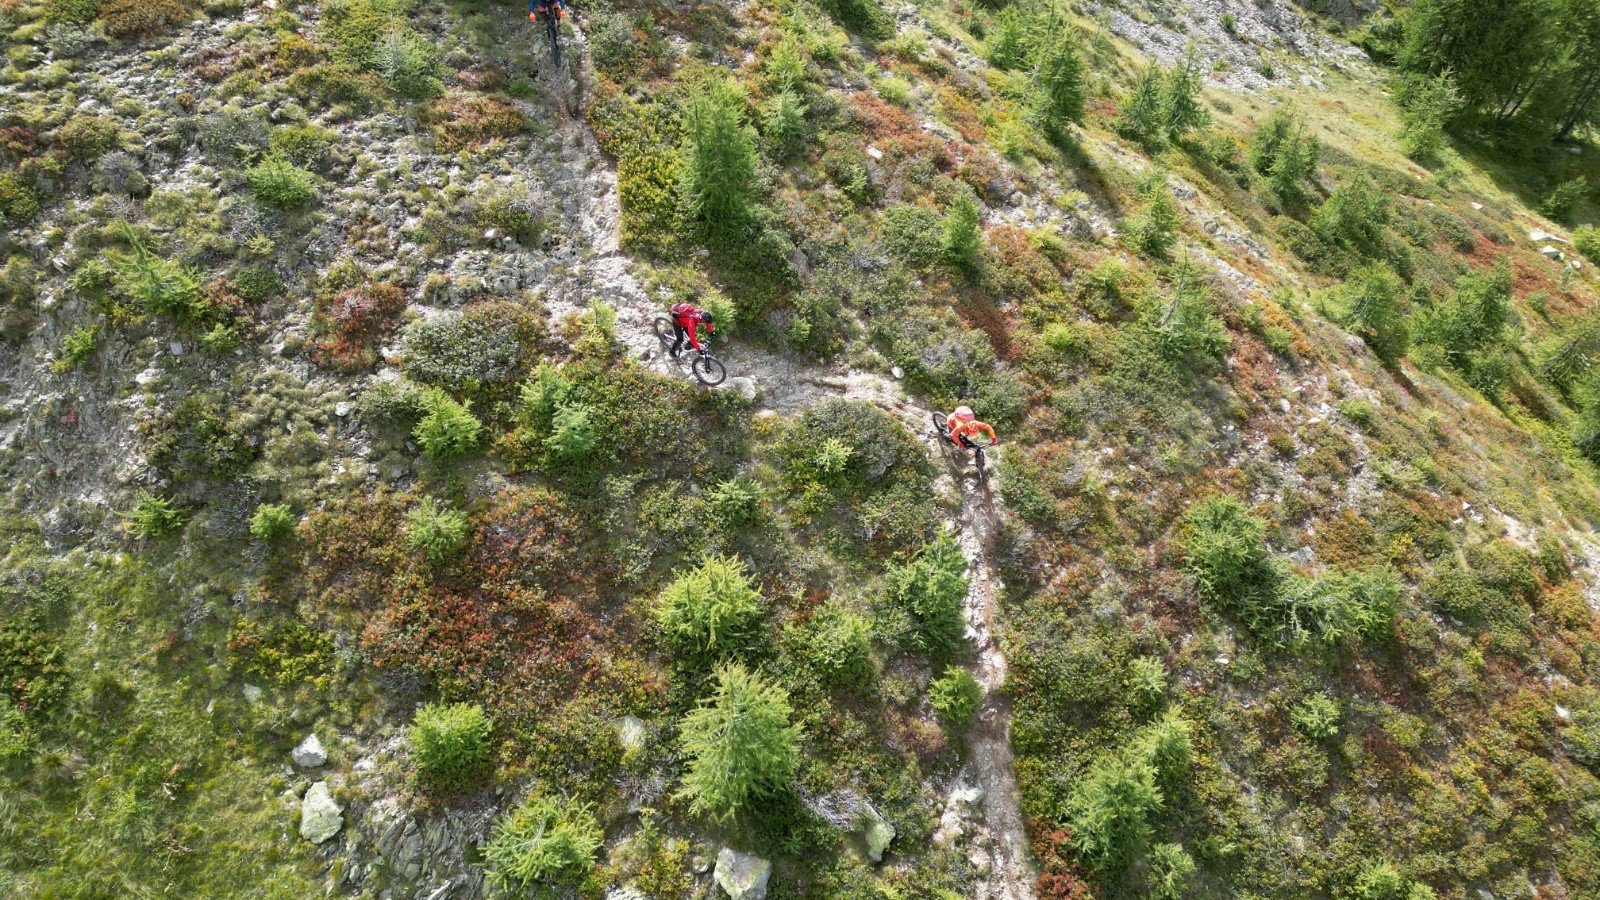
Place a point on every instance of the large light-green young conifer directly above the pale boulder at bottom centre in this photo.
(740, 745)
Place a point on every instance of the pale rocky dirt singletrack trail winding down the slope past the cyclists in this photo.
(783, 384)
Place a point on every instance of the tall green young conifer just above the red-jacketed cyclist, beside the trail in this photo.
(719, 180)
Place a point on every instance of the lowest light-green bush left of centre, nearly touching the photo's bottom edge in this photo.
(542, 843)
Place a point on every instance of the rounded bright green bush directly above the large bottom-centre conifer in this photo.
(711, 613)
